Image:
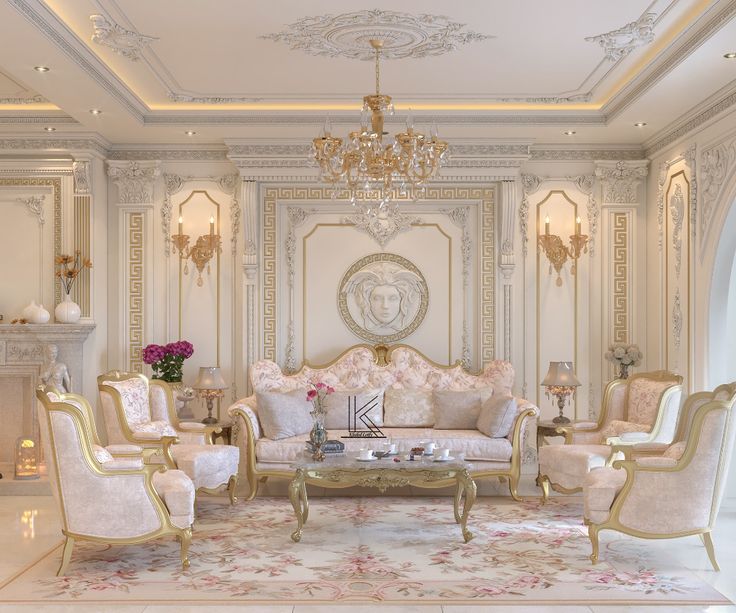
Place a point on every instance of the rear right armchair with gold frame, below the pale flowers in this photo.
(640, 410)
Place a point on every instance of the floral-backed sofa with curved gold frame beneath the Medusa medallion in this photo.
(393, 371)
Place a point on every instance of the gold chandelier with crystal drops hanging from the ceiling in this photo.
(366, 166)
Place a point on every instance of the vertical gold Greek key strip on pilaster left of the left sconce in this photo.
(136, 297)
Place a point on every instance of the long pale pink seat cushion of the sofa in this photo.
(473, 444)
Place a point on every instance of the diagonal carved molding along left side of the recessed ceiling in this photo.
(46, 22)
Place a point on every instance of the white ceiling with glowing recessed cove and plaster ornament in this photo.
(527, 71)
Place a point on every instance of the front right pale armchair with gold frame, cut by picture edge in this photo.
(676, 494)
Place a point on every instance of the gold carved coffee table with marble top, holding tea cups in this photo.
(341, 471)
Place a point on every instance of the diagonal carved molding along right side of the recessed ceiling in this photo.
(646, 80)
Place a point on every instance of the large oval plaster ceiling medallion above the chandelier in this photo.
(403, 35)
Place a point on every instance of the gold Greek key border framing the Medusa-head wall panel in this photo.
(485, 196)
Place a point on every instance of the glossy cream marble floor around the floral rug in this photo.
(29, 526)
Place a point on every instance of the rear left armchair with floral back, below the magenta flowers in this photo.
(142, 412)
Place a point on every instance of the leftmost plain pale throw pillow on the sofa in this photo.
(283, 415)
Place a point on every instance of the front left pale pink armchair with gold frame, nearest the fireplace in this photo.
(107, 499)
